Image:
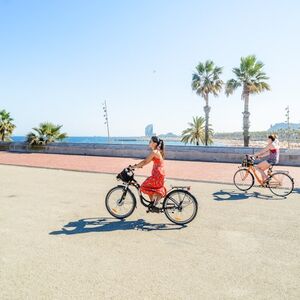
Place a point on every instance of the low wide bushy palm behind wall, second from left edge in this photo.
(46, 133)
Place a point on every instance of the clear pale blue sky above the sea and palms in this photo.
(60, 59)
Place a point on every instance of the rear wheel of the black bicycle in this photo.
(180, 207)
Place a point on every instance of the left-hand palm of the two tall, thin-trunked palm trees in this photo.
(207, 81)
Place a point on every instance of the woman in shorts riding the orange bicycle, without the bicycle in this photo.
(272, 151)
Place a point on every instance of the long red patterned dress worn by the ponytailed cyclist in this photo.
(155, 183)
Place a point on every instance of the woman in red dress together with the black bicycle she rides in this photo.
(178, 205)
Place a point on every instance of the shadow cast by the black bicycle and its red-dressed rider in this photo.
(110, 224)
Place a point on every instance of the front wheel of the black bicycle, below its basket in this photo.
(120, 202)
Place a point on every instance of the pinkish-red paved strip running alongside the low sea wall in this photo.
(199, 171)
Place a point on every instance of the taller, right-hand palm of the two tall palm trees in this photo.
(251, 78)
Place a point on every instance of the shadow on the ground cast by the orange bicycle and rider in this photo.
(233, 195)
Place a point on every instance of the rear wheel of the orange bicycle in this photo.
(281, 184)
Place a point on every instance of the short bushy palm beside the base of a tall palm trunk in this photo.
(196, 132)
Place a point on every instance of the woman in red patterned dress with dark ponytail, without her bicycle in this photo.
(154, 185)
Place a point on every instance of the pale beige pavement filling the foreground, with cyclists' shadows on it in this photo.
(57, 241)
